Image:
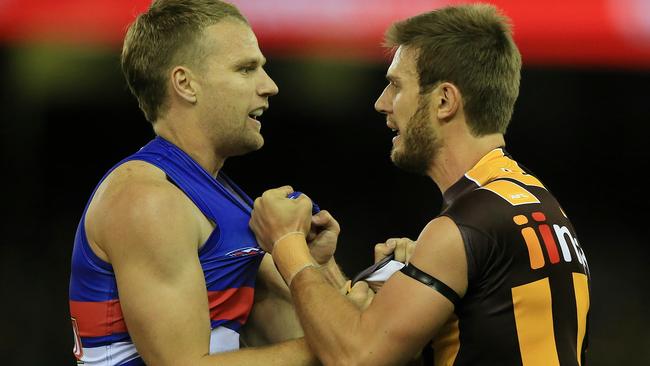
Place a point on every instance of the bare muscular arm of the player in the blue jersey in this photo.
(150, 235)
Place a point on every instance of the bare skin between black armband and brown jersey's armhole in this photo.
(440, 252)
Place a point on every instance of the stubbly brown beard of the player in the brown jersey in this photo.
(419, 141)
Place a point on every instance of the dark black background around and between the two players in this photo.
(67, 117)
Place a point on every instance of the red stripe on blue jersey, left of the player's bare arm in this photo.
(98, 319)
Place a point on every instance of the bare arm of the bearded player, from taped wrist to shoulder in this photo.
(404, 315)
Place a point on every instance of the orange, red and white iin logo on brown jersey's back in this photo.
(561, 233)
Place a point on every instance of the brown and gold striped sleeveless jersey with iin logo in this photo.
(527, 299)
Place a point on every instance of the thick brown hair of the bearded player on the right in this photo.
(470, 46)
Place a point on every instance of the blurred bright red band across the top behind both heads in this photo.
(577, 32)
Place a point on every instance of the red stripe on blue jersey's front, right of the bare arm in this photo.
(231, 304)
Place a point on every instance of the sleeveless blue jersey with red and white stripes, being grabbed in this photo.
(230, 259)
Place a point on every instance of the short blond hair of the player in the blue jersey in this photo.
(166, 35)
